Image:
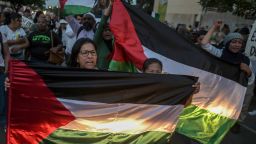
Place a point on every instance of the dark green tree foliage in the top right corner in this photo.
(245, 8)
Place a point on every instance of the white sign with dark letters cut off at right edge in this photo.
(250, 49)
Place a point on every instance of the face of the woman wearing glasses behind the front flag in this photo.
(87, 57)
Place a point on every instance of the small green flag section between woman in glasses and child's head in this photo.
(122, 66)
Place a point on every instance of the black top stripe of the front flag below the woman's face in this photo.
(117, 87)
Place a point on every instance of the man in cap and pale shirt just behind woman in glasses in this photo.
(87, 29)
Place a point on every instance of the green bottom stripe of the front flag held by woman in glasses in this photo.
(63, 136)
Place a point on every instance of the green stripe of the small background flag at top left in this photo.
(76, 9)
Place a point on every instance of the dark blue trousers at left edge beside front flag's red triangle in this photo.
(3, 100)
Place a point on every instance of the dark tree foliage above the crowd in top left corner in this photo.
(17, 4)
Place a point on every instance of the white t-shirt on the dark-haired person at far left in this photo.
(12, 35)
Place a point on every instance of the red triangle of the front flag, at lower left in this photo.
(31, 118)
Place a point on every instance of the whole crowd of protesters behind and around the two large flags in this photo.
(87, 44)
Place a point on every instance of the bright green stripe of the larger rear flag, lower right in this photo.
(203, 125)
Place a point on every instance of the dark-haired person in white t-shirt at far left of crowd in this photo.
(16, 36)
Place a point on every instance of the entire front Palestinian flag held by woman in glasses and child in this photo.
(50, 105)
